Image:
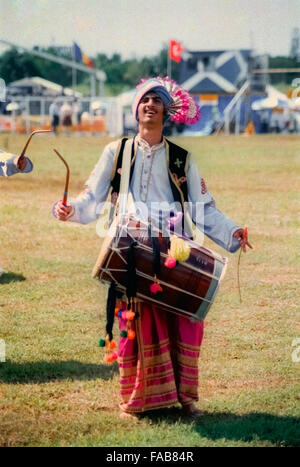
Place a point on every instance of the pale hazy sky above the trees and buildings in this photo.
(137, 28)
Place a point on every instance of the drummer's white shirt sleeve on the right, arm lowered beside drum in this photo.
(205, 214)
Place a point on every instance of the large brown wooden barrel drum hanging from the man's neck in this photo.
(188, 289)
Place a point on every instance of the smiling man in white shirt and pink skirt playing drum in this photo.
(160, 367)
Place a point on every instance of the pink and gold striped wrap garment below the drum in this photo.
(159, 368)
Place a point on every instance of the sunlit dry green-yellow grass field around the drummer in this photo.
(54, 388)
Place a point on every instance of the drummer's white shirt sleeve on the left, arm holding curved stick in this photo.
(88, 204)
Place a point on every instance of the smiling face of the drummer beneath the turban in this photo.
(151, 110)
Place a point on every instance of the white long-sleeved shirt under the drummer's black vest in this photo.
(150, 184)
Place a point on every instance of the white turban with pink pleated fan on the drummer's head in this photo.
(181, 107)
